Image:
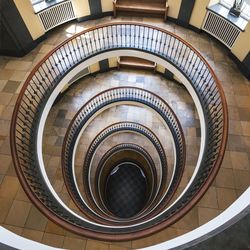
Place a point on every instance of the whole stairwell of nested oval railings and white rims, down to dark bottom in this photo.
(127, 192)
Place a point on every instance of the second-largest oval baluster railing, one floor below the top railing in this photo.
(102, 101)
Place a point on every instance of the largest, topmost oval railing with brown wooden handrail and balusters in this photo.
(107, 37)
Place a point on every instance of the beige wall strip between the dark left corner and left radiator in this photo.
(30, 19)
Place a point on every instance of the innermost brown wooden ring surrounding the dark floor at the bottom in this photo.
(127, 152)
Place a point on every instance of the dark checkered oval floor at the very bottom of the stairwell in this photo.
(126, 191)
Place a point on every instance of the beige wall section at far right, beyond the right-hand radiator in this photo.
(241, 46)
